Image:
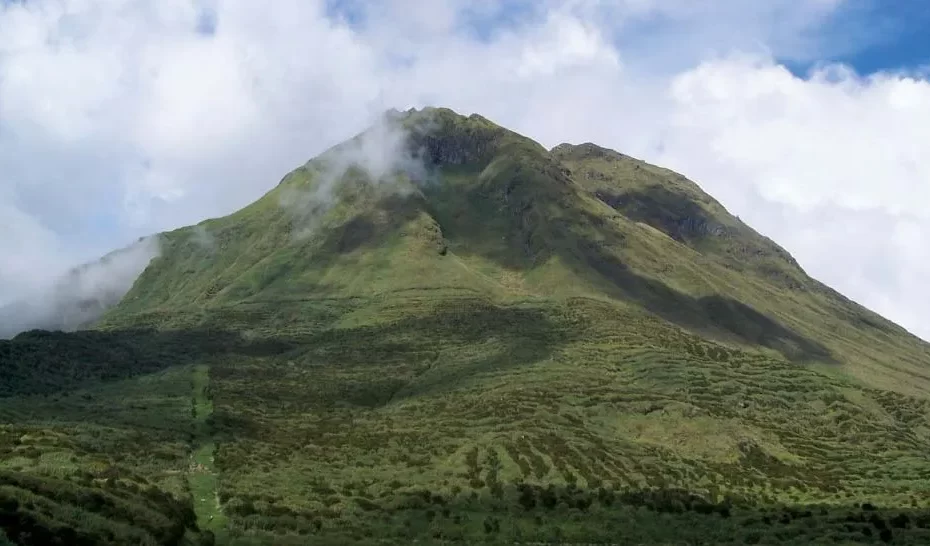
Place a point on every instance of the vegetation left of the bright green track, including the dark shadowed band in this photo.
(96, 458)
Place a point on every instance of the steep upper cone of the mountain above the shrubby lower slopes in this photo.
(518, 221)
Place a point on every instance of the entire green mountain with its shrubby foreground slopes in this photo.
(442, 331)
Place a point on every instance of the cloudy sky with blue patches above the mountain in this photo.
(809, 119)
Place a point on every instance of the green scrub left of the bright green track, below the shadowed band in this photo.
(97, 465)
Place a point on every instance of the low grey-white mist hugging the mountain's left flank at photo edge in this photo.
(82, 295)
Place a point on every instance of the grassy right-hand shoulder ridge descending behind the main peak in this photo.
(750, 267)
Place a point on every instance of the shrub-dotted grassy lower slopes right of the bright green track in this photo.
(578, 423)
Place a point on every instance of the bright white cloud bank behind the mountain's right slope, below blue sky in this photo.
(831, 167)
